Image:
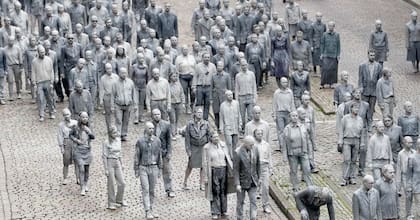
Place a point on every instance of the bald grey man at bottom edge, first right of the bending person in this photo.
(366, 203)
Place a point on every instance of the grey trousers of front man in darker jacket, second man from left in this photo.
(148, 176)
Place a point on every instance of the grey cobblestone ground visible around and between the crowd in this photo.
(31, 160)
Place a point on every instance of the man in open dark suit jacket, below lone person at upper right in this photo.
(369, 74)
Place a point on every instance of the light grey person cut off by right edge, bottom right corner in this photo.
(413, 179)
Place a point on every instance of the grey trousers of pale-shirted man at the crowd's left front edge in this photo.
(44, 97)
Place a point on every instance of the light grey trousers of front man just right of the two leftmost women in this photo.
(115, 174)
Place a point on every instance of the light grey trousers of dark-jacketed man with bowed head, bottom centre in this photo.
(252, 194)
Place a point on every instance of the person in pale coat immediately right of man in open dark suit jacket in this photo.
(385, 94)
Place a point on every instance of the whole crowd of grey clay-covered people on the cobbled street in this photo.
(124, 62)
